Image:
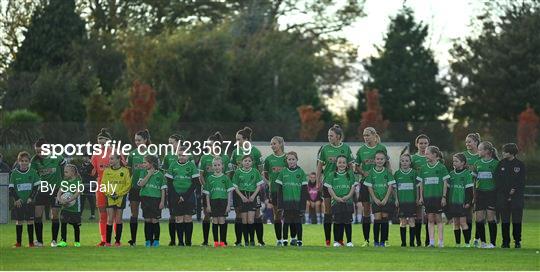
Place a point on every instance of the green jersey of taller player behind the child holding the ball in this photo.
(49, 169)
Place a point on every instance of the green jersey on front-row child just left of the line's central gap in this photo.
(291, 182)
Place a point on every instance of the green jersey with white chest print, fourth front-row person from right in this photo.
(432, 178)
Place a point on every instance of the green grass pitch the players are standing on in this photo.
(313, 256)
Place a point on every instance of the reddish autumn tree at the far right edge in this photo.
(527, 131)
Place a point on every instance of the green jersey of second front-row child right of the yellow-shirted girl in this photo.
(181, 174)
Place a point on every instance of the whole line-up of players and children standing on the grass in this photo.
(479, 186)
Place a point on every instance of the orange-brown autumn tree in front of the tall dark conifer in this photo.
(372, 117)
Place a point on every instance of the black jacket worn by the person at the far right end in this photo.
(510, 174)
